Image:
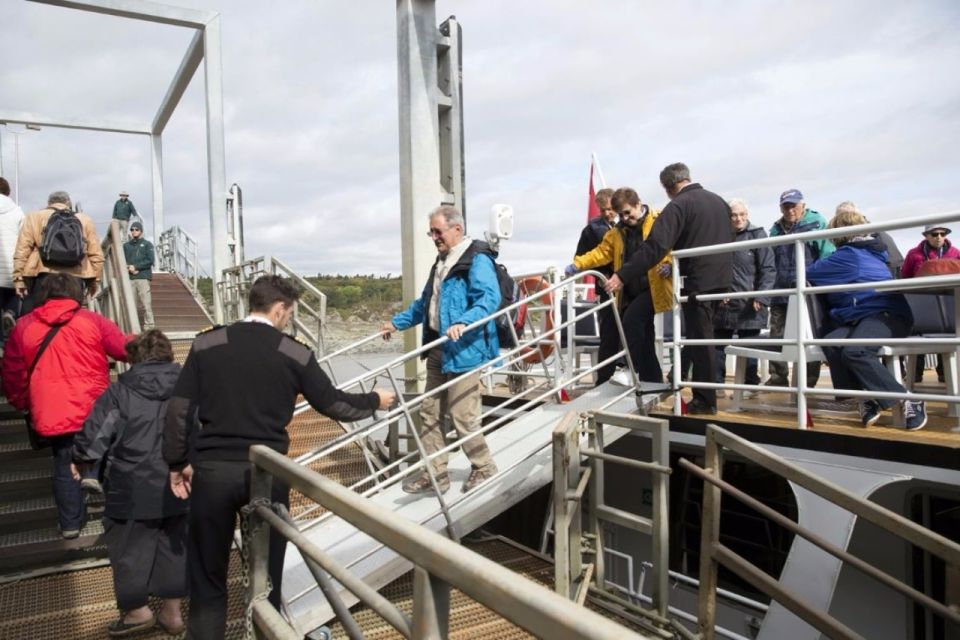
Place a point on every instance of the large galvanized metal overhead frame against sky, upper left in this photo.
(205, 46)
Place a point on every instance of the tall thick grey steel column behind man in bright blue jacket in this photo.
(419, 155)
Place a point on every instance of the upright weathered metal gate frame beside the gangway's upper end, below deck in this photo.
(578, 495)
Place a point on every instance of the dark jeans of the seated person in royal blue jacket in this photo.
(859, 367)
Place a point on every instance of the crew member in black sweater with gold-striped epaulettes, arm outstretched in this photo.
(241, 382)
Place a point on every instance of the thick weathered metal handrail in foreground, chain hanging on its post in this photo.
(440, 563)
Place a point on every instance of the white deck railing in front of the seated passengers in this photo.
(800, 293)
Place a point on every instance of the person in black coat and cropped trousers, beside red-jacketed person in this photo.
(145, 524)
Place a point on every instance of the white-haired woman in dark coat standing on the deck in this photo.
(753, 270)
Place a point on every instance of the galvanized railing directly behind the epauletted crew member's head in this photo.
(310, 311)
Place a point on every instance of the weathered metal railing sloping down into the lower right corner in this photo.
(713, 553)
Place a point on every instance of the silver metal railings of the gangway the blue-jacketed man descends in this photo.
(492, 417)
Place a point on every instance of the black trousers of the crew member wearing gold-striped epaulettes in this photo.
(220, 489)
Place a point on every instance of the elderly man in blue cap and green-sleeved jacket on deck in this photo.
(795, 217)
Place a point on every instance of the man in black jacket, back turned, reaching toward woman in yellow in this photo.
(694, 217)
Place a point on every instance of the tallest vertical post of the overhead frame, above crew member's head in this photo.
(216, 166)
